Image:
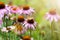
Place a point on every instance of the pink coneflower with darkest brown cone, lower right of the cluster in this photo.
(30, 23)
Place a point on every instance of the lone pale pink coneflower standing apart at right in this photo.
(52, 15)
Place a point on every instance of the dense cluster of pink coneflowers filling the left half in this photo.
(21, 24)
